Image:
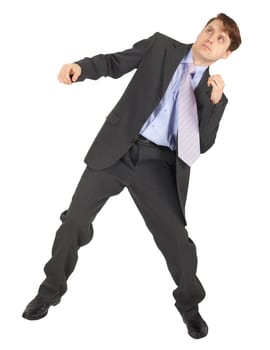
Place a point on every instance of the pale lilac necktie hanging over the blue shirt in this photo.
(188, 126)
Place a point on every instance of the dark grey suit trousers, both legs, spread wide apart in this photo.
(148, 172)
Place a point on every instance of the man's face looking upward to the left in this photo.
(212, 43)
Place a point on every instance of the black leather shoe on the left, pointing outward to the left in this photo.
(38, 308)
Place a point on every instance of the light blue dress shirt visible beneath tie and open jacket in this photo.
(161, 126)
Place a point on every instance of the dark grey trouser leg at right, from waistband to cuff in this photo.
(154, 192)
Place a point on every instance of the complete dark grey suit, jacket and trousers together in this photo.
(156, 178)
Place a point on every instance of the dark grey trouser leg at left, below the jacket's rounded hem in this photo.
(76, 230)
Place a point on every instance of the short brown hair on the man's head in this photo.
(231, 28)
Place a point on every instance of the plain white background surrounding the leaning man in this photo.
(119, 295)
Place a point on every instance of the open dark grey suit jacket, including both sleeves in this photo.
(155, 59)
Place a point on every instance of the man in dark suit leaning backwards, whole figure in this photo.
(169, 114)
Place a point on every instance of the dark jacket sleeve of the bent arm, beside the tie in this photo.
(209, 124)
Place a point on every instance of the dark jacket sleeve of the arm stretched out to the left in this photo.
(115, 64)
